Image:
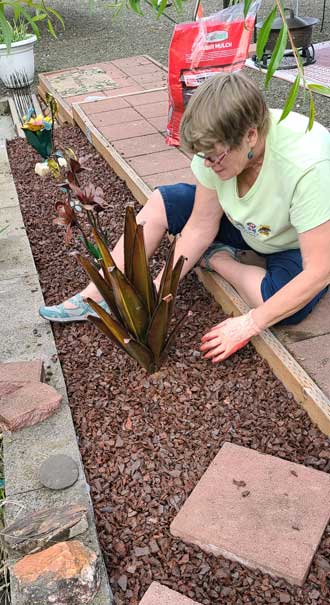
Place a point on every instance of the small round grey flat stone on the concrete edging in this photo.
(58, 472)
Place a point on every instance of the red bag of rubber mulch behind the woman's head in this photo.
(201, 49)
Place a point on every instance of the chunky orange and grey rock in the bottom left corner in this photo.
(67, 573)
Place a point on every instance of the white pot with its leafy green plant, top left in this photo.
(18, 33)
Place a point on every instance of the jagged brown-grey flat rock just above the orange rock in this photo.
(37, 530)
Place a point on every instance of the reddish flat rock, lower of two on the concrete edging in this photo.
(28, 405)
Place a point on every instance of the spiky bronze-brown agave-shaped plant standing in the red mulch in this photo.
(140, 318)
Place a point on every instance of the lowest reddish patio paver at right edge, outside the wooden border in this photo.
(313, 354)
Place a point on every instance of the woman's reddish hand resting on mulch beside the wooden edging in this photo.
(228, 337)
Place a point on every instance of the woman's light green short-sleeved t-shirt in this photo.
(292, 192)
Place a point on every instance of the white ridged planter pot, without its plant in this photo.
(19, 60)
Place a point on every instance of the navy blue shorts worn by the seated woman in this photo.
(281, 267)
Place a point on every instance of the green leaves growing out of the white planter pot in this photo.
(25, 15)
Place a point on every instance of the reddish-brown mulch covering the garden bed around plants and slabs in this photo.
(147, 440)
